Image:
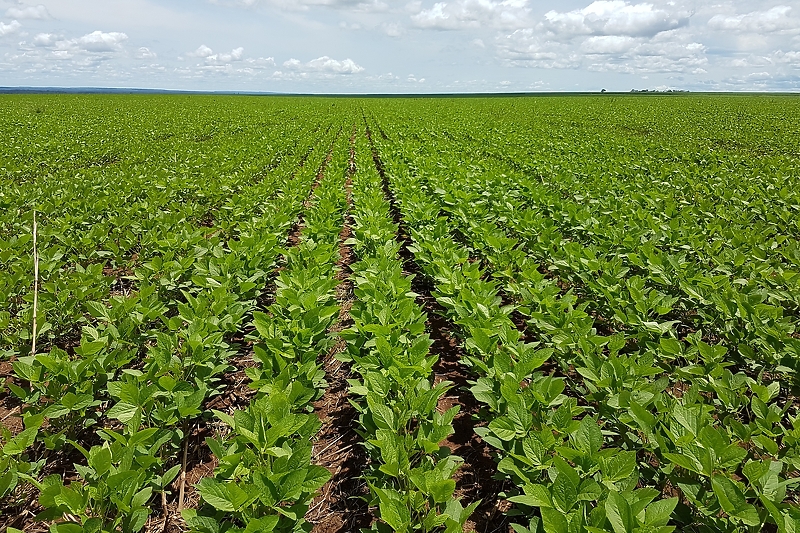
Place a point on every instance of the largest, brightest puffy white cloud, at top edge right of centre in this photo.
(614, 17)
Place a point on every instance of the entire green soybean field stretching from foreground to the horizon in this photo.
(555, 314)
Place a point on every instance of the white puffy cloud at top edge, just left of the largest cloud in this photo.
(465, 14)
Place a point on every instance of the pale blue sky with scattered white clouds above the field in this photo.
(382, 46)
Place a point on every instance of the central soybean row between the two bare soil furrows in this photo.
(410, 475)
